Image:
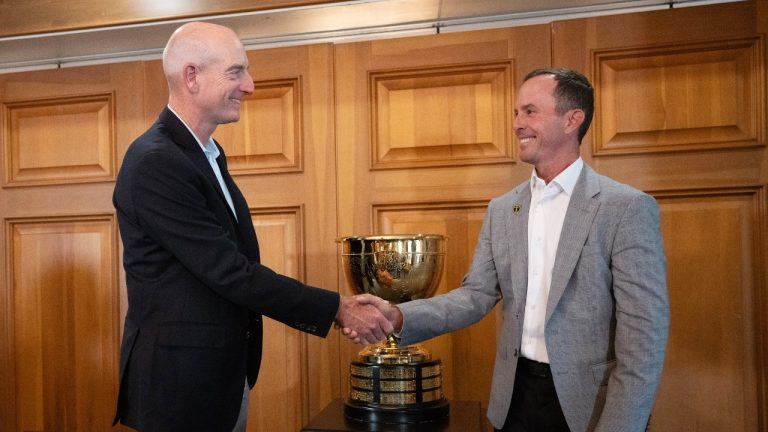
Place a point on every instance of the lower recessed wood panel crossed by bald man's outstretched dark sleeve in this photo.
(277, 400)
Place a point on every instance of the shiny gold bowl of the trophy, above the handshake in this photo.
(397, 268)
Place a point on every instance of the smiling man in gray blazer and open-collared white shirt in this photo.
(577, 261)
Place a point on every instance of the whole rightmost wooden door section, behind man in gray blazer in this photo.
(681, 114)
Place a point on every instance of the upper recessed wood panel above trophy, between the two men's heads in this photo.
(452, 115)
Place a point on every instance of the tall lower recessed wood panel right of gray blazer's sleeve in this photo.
(714, 240)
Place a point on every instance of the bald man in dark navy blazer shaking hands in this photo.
(196, 290)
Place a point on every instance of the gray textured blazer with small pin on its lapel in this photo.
(607, 314)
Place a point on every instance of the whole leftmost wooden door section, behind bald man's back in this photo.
(61, 297)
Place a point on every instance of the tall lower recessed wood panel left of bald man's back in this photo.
(64, 322)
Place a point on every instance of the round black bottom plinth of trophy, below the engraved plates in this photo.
(429, 412)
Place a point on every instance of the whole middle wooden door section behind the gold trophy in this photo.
(424, 140)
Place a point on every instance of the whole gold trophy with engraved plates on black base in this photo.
(390, 383)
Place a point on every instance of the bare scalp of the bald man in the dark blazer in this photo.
(196, 43)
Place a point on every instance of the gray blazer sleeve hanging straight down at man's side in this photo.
(638, 266)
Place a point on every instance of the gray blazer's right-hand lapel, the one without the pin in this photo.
(576, 226)
